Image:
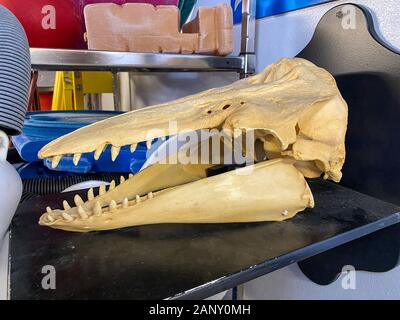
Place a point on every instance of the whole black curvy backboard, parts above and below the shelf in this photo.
(368, 75)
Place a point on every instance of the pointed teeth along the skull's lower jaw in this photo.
(97, 210)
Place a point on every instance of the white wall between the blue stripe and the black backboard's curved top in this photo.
(287, 34)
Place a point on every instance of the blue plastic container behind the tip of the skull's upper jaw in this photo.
(42, 127)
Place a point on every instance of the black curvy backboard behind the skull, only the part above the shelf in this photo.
(368, 74)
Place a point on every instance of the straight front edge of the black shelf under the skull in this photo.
(228, 282)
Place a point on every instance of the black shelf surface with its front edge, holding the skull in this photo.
(182, 261)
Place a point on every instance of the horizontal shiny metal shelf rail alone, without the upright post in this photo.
(80, 60)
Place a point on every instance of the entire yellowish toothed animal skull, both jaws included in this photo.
(293, 107)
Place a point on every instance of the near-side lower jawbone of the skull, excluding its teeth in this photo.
(236, 196)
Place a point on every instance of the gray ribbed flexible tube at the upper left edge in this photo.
(15, 73)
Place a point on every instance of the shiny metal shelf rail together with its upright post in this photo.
(84, 60)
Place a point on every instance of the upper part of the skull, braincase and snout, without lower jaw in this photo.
(295, 107)
